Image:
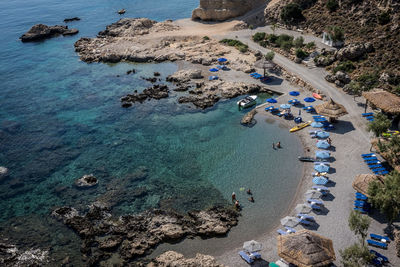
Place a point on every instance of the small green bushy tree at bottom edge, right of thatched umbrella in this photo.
(356, 256)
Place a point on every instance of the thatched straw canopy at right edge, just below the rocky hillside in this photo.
(386, 101)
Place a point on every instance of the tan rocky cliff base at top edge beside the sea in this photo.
(218, 10)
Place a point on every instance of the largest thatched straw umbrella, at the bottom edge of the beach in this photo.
(305, 249)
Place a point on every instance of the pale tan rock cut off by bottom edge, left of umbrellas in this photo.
(172, 259)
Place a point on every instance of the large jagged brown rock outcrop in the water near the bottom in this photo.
(131, 236)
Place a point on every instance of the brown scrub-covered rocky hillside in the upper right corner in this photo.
(363, 21)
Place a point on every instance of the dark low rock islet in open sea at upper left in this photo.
(41, 31)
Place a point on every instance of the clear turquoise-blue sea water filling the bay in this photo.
(61, 118)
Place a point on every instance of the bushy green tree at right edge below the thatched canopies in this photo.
(386, 196)
